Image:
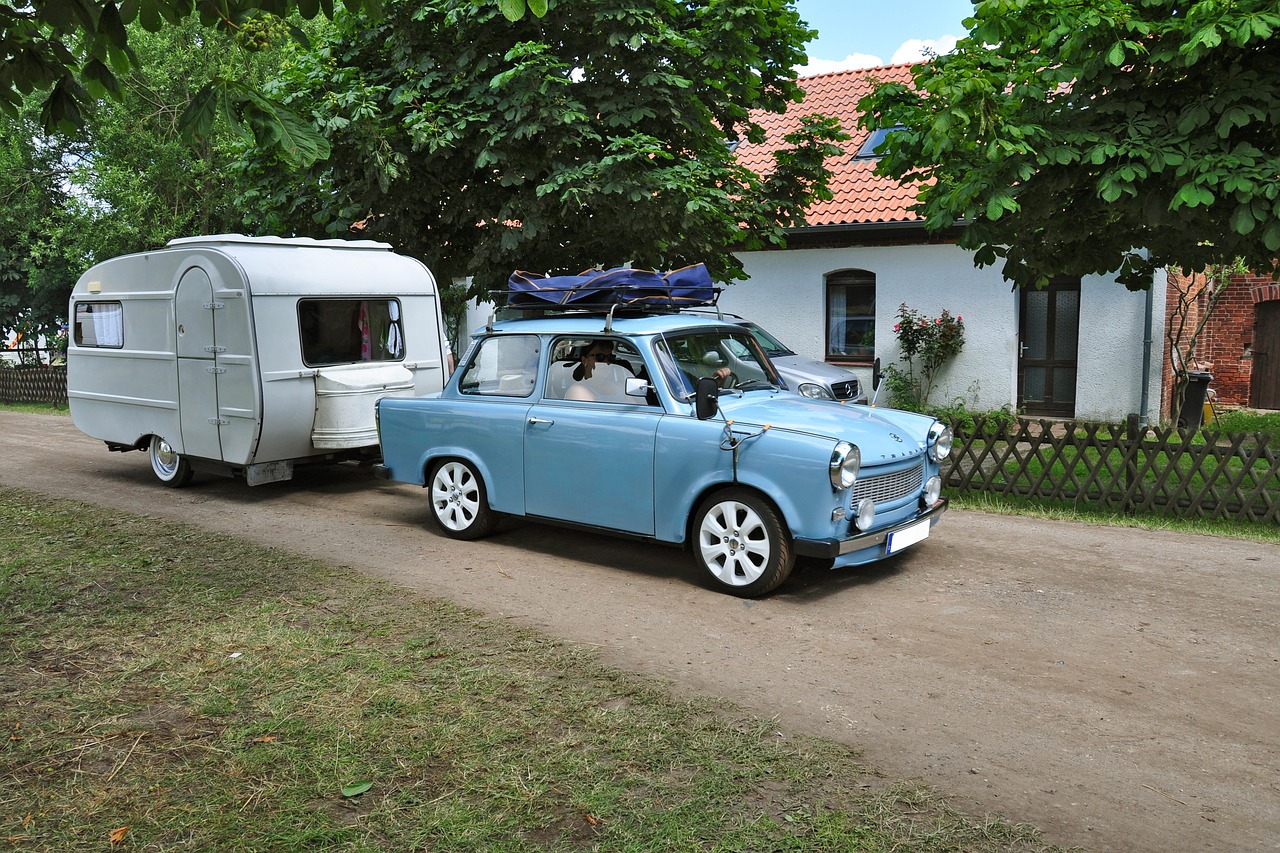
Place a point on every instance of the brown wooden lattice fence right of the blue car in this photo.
(1123, 468)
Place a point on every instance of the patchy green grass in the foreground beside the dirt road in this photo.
(217, 696)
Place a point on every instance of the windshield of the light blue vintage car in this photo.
(733, 358)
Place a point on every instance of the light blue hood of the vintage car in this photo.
(881, 435)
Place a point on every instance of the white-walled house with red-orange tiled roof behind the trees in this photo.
(1085, 349)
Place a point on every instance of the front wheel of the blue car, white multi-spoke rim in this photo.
(742, 545)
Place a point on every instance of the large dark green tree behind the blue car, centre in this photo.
(598, 135)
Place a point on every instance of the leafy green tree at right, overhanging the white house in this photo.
(1084, 139)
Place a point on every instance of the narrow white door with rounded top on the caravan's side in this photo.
(217, 387)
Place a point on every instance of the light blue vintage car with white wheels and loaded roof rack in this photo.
(621, 414)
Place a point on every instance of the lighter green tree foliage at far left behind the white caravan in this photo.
(126, 183)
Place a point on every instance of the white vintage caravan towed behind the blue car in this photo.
(250, 355)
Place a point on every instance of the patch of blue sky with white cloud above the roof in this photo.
(865, 34)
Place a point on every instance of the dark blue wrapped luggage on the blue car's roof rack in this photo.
(612, 290)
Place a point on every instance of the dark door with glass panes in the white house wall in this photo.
(1049, 339)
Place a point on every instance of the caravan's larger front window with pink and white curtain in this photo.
(350, 331)
